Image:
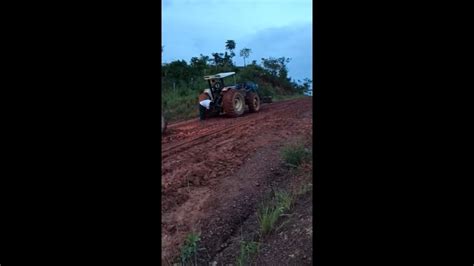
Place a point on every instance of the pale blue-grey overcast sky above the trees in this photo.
(270, 28)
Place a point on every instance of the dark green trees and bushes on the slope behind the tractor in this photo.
(182, 82)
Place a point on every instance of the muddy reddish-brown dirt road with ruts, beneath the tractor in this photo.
(206, 167)
